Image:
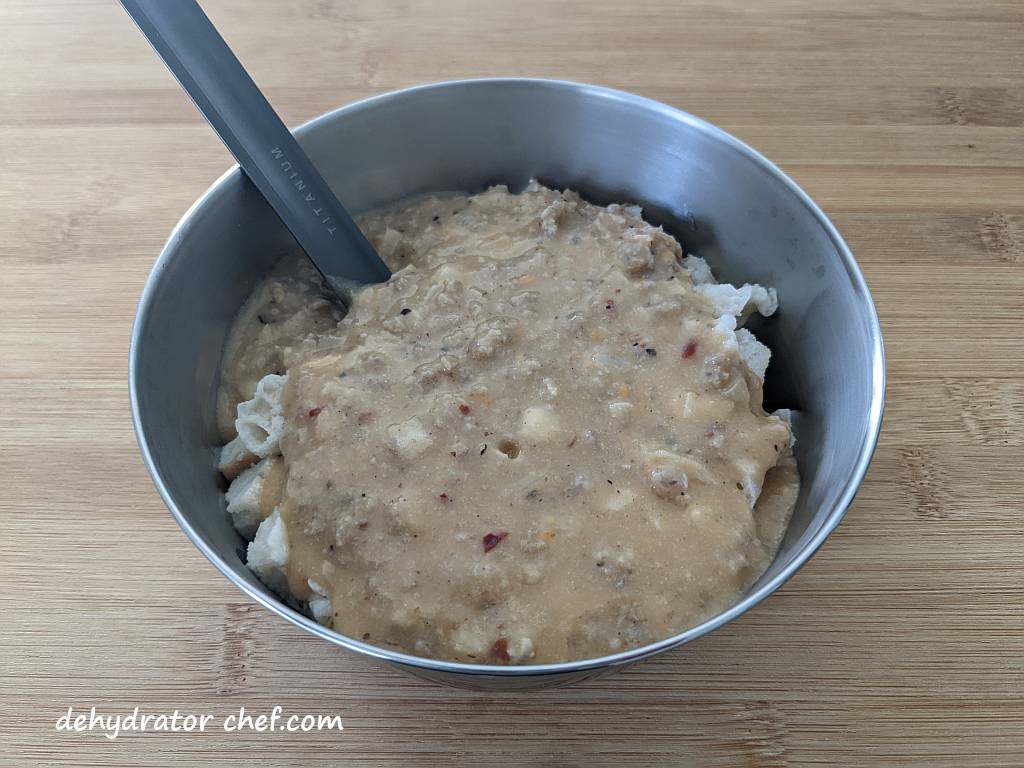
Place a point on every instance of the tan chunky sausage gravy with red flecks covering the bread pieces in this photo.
(538, 442)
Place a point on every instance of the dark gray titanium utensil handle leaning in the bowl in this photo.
(206, 68)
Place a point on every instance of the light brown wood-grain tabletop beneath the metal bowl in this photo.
(902, 644)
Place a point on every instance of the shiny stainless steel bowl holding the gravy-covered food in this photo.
(719, 197)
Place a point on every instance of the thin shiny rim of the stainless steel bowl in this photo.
(624, 658)
